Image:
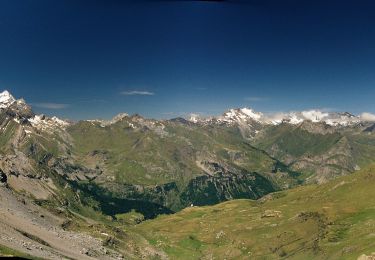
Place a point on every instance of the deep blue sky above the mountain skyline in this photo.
(94, 59)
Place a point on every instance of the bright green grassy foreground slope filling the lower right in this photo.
(335, 220)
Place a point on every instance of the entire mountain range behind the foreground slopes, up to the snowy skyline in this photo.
(173, 163)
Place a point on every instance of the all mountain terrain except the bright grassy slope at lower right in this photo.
(98, 172)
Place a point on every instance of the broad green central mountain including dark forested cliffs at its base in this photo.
(176, 163)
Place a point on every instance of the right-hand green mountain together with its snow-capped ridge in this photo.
(319, 145)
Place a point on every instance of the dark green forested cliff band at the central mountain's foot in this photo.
(201, 190)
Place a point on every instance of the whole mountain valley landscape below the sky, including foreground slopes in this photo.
(294, 185)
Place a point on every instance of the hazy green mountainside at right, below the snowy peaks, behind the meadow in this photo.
(319, 151)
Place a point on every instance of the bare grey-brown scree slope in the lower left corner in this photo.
(30, 229)
